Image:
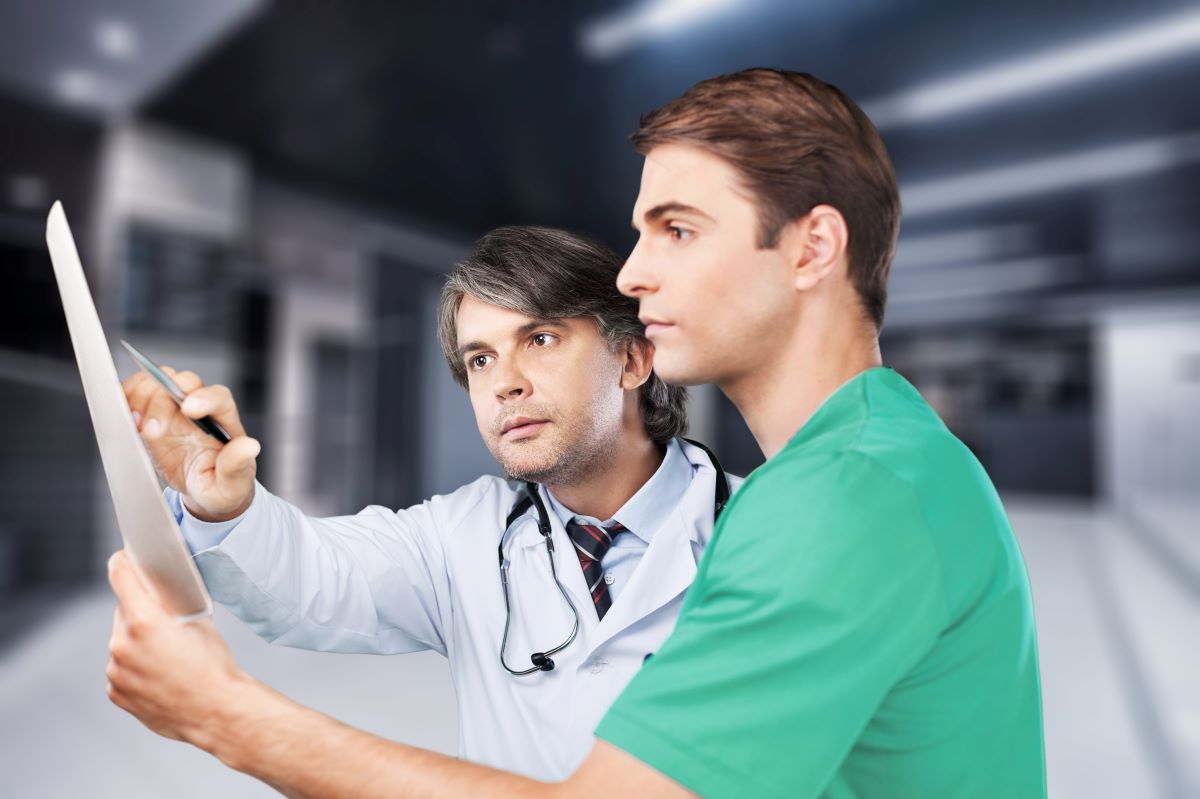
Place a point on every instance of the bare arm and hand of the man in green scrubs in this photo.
(182, 682)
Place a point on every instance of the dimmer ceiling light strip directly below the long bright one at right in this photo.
(1045, 176)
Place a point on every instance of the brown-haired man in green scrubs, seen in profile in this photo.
(862, 622)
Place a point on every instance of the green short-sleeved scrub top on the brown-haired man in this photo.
(861, 626)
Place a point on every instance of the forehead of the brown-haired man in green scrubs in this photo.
(680, 173)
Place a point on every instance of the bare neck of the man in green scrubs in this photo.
(778, 397)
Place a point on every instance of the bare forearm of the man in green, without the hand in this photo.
(304, 754)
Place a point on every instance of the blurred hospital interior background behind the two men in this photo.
(269, 194)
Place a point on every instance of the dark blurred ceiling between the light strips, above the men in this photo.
(466, 116)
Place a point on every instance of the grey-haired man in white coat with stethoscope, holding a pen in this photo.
(598, 530)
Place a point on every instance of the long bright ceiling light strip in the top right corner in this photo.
(1178, 35)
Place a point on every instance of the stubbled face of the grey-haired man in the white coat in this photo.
(548, 393)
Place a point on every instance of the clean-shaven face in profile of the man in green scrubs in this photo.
(715, 304)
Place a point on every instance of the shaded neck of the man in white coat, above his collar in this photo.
(603, 492)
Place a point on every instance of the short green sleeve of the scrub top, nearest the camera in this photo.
(820, 591)
